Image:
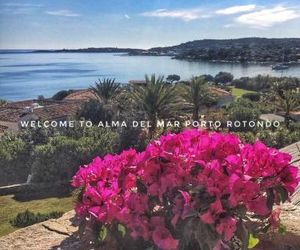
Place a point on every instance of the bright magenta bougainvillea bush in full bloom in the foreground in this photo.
(192, 190)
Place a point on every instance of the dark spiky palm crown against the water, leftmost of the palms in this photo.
(106, 90)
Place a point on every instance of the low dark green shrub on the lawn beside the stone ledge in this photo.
(28, 218)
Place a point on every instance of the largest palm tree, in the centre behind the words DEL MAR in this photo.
(157, 99)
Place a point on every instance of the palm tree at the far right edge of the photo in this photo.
(287, 99)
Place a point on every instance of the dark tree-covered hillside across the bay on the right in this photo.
(261, 50)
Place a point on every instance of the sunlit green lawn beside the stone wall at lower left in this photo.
(9, 208)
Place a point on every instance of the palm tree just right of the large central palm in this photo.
(194, 94)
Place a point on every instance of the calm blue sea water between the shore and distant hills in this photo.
(26, 75)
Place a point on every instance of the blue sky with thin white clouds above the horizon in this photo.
(140, 23)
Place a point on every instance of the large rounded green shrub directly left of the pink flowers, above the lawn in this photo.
(57, 160)
